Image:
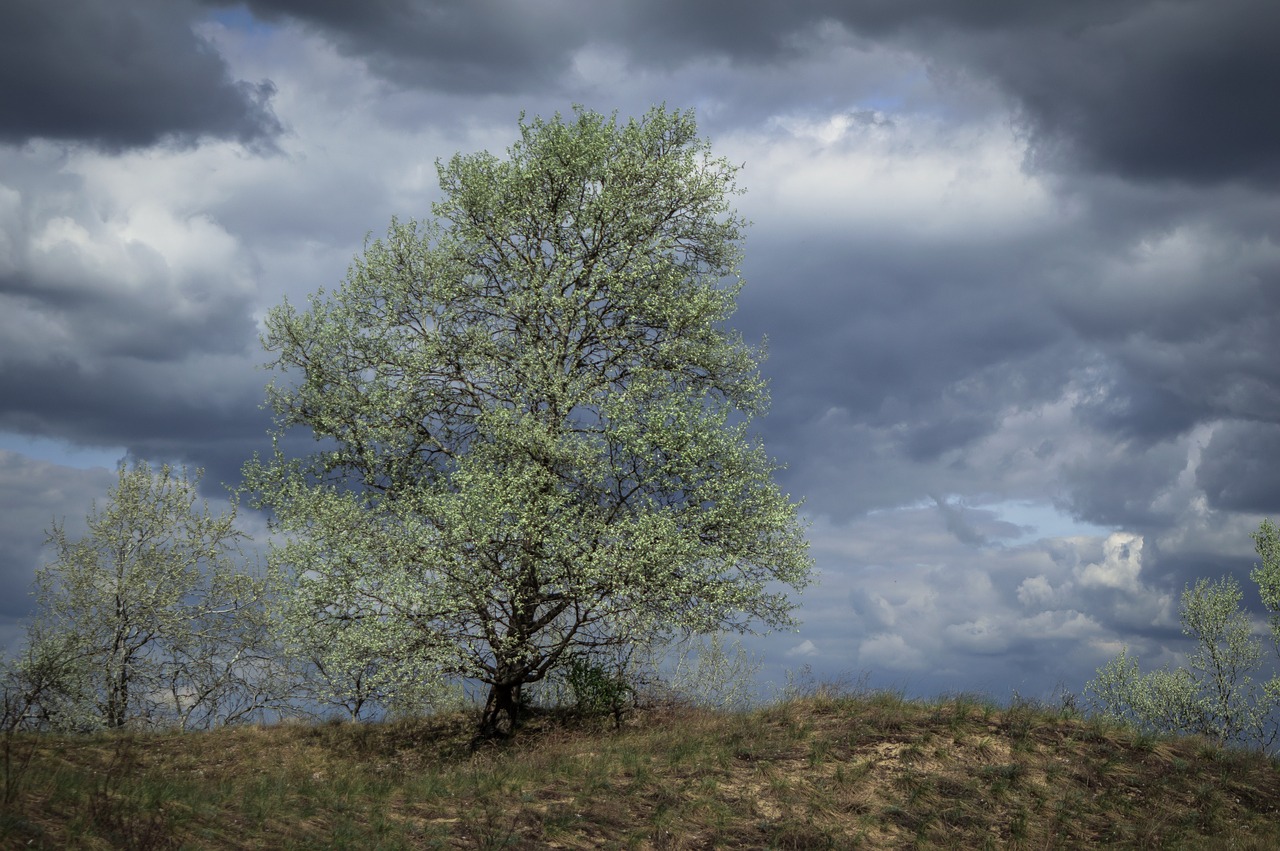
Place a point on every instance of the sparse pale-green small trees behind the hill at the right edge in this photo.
(1215, 694)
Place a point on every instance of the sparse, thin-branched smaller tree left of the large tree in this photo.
(145, 620)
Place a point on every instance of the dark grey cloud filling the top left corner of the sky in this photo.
(121, 75)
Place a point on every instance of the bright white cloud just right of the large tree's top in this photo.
(876, 177)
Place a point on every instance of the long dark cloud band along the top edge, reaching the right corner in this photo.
(1150, 90)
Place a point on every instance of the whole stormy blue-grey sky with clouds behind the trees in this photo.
(1018, 264)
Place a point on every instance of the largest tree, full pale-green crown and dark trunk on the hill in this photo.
(533, 420)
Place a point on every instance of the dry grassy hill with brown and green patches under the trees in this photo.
(826, 771)
